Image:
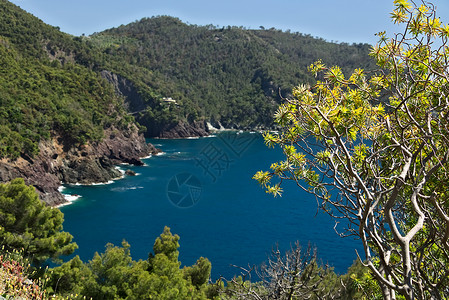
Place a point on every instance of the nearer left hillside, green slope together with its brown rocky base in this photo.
(60, 120)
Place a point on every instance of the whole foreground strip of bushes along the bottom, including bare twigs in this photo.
(31, 232)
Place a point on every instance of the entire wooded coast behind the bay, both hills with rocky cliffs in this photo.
(69, 105)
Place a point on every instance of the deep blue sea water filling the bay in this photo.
(202, 189)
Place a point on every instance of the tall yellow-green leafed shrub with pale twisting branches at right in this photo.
(374, 151)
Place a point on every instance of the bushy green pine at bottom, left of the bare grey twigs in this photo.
(115, 275)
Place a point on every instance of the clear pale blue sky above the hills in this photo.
(334, 20)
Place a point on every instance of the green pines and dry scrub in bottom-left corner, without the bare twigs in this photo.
(31, 232)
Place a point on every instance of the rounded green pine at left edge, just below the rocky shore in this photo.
(27, 223)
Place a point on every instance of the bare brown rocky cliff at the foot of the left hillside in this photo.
(59, 162)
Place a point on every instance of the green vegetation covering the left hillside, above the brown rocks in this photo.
(43, 92)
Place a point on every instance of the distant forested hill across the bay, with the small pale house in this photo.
(232, 75)
